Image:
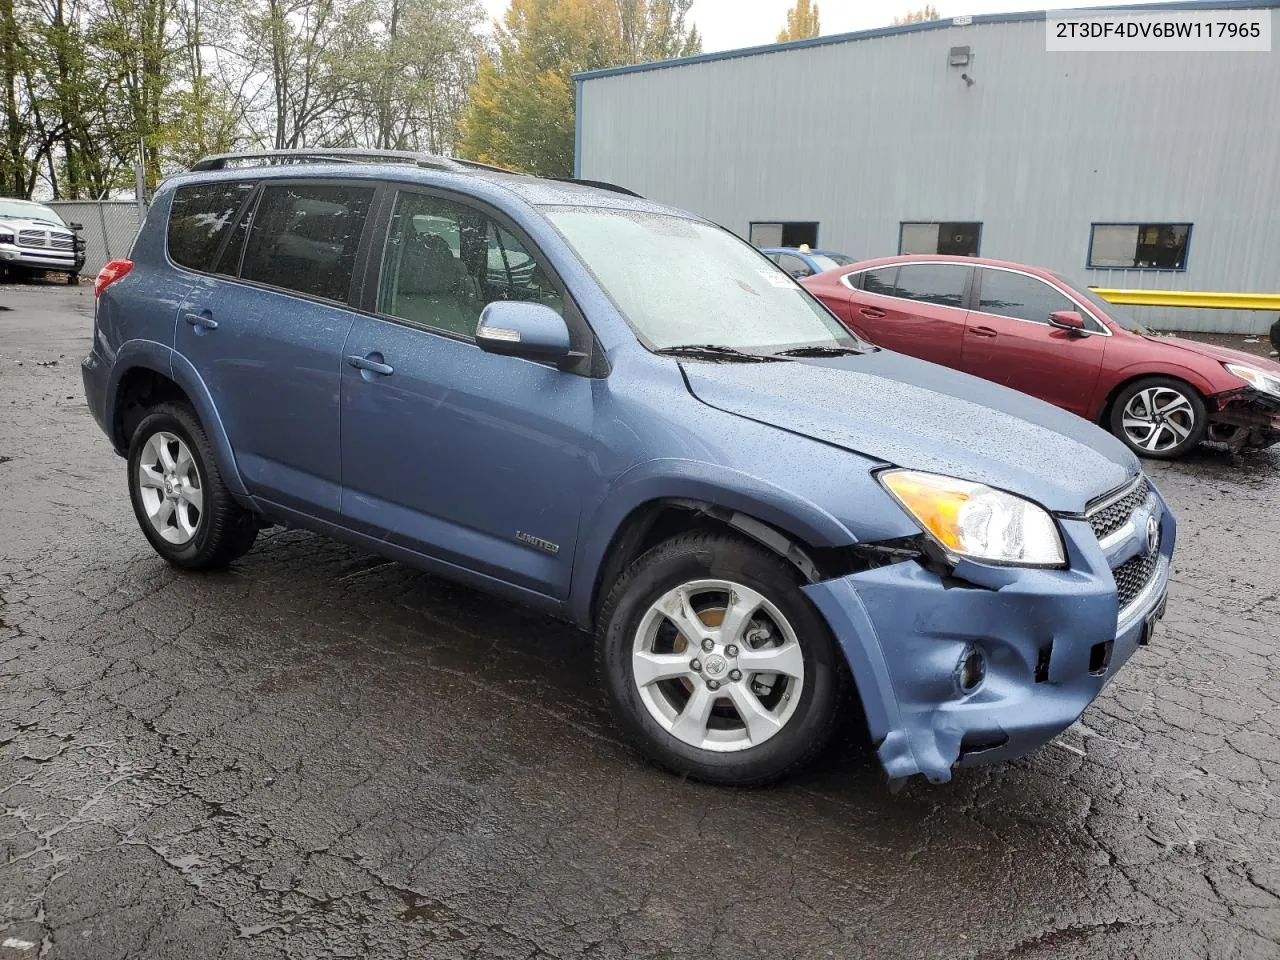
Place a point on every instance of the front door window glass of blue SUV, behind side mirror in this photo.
(445, 262)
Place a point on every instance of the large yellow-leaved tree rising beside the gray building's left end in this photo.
(522, 108)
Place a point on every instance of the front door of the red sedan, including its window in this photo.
(1011, 341)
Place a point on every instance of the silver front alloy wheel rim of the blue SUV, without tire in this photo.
(717, 666)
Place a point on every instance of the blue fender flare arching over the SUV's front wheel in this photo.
(671, 479)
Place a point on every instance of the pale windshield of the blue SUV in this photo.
(684, 282)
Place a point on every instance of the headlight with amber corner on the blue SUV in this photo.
(973, 520)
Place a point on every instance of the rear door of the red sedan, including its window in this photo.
(916, 309)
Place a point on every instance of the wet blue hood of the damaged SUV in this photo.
(913, 414)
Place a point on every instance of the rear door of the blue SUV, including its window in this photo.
(266, 336)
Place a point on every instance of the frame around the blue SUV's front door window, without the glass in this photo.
(369, 272)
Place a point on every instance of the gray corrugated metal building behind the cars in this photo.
(1151, 171)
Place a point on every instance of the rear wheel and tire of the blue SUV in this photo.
(205, 528)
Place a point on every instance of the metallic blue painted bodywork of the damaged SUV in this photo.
(477, 465)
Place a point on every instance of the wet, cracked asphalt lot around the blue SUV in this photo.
(324, 755)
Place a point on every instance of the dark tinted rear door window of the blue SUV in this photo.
(305, 237)
